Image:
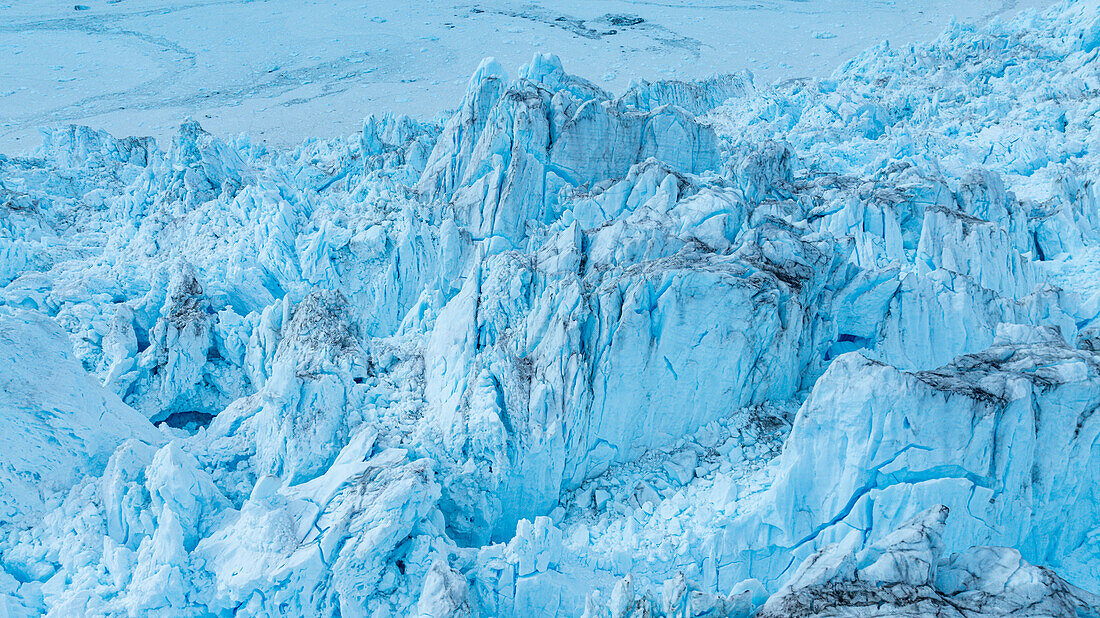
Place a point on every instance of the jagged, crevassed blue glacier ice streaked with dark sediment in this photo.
(573, 354)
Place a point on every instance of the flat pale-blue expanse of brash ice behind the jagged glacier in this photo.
(284, 71)
